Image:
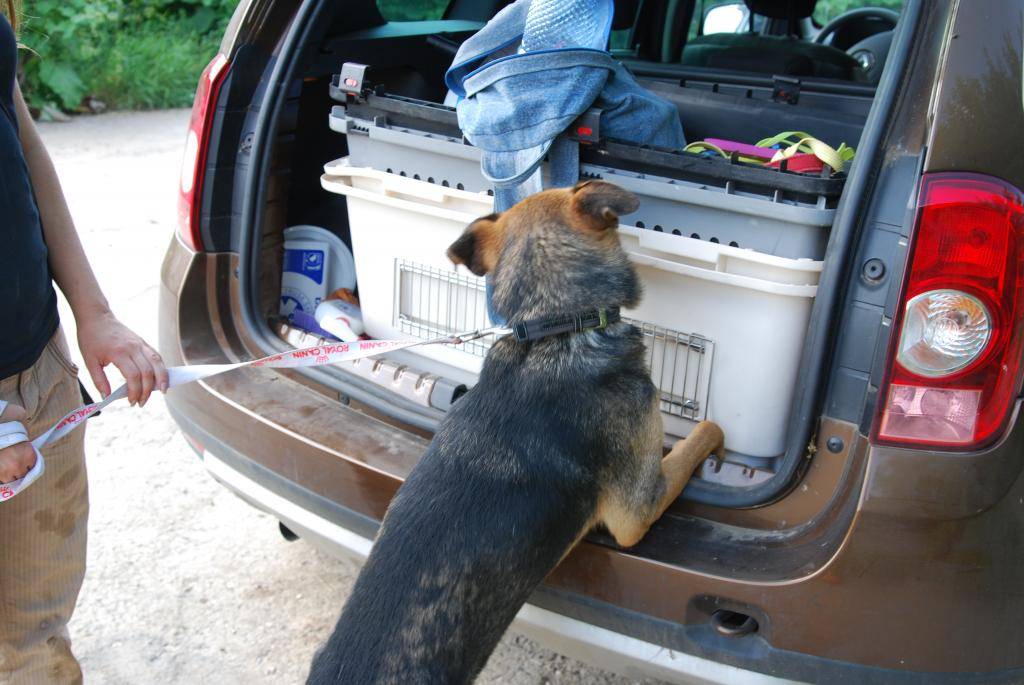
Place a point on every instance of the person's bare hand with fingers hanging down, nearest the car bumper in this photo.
(105, 340)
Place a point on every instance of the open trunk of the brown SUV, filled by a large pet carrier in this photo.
(743, 267)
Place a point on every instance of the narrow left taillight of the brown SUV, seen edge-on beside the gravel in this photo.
(197, 146)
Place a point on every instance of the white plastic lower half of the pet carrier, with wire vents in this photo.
(743, 315)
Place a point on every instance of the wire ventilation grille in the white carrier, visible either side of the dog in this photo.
(433, 302)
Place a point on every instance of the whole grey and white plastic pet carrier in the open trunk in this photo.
(730, 255)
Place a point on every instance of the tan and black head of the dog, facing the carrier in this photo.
(554, 252)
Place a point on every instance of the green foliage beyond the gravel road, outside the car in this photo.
(129, 54)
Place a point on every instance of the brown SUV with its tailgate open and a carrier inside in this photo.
(867, 524)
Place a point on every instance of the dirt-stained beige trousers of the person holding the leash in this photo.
(44, 532)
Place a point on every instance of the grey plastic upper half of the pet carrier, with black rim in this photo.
(777, 213)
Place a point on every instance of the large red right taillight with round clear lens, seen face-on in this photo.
(955, 363)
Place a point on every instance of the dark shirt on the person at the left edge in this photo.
(28, 302)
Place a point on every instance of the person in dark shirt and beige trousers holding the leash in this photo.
(44, 530)
